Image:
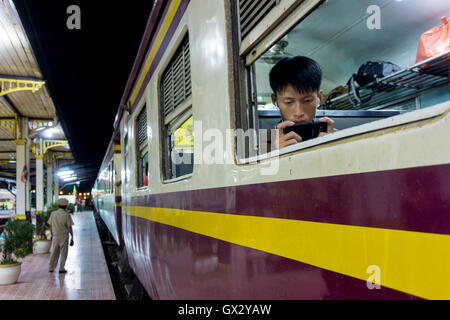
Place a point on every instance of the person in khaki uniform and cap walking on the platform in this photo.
(61, 224)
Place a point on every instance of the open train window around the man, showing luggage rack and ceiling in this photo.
(340, 36)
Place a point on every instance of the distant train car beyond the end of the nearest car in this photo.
(107, 192)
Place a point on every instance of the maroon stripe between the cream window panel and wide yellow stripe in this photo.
(412, 199)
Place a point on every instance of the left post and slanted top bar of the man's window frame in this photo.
(279, 20)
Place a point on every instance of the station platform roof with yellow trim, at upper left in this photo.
(17, 62)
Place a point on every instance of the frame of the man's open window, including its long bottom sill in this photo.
(244, 59)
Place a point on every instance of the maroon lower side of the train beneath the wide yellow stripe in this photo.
(178, 264)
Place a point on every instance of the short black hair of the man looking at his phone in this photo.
(302, 73)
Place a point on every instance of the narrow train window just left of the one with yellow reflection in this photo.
(141, 149)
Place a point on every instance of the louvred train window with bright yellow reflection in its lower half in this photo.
(176, 115)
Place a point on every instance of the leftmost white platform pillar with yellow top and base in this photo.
(20, 179)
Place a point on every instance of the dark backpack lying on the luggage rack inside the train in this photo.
(367, 74)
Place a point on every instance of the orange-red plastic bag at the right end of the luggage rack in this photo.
(434, 42)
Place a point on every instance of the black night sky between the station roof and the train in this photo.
(86, 70)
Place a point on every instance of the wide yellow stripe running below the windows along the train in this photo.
(413, 262)
